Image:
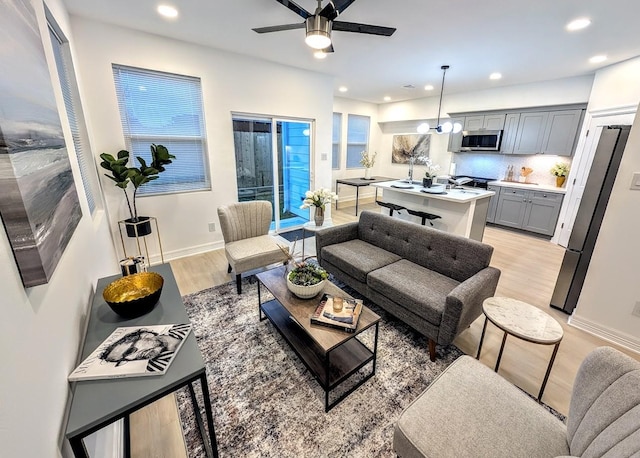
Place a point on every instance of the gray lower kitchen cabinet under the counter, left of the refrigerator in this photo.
(529, 210)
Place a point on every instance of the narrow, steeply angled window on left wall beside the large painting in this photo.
(71, 96)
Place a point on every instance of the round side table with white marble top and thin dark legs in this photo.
(525, 322)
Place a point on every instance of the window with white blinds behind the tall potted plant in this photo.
(164, 109)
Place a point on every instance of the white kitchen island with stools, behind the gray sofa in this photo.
(462, 211)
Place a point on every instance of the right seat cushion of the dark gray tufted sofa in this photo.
(413, 287)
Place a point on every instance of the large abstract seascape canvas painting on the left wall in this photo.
(39, 204)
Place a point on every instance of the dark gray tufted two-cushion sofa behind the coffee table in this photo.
(432, 280)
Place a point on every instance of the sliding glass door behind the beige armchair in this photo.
(273, 162)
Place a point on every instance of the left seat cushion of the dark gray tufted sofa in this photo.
(357, 258)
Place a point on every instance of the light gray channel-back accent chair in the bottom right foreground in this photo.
(470, 411)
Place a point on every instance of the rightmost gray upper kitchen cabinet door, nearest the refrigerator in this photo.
(561, 132)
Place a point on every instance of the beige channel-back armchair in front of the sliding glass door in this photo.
(247, 243)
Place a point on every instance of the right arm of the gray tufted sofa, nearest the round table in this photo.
(464, 304)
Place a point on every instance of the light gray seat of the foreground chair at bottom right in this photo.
(470, 411)
